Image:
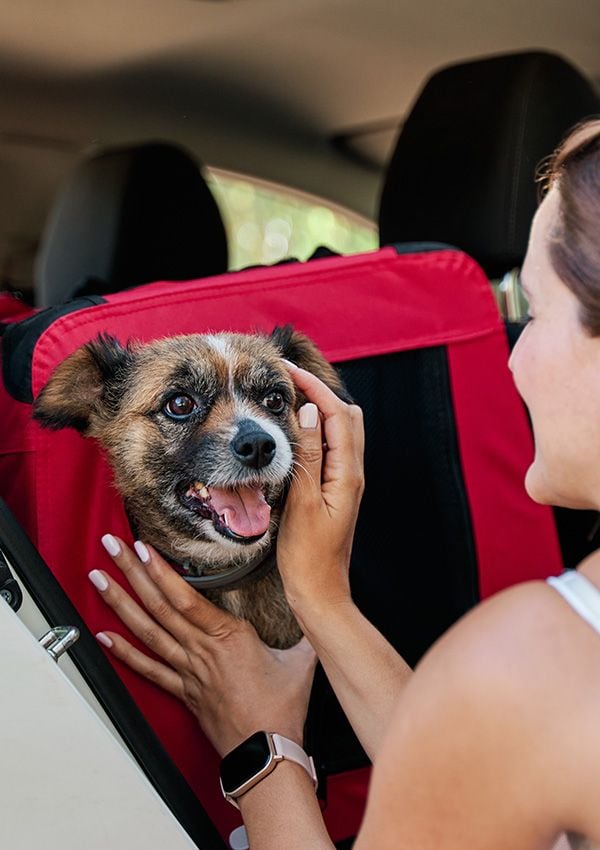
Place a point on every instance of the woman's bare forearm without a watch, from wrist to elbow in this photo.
(365, 671)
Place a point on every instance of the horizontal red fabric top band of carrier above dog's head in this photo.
(351, 306)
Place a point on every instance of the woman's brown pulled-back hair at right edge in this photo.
(574, 170)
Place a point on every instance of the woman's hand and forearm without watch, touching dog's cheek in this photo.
(313, 554)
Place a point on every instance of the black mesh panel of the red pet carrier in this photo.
(413, 568)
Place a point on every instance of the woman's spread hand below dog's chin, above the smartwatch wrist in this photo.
(233, 683)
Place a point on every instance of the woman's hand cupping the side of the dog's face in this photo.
(315, 537)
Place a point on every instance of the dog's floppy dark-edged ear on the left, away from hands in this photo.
(87, 382)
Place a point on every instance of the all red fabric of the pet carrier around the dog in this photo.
(61, 487)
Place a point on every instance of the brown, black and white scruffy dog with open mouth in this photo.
(200, 431)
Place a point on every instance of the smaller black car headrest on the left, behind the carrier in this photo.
(127, 216)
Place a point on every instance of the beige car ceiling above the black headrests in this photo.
(258, 86)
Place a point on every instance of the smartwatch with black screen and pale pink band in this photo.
(255, 758)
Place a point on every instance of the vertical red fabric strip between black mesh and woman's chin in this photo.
(515, 538)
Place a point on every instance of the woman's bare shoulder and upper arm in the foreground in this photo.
(498, 720)
